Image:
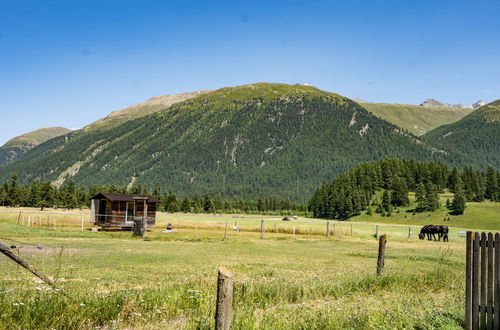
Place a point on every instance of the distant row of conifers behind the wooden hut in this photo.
(70, 195)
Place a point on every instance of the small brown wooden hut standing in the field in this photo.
(120, 210)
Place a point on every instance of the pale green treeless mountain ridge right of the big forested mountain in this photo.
(416, 119)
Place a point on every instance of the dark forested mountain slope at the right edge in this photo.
(477, 135)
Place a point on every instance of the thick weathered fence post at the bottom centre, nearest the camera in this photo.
(224, 299)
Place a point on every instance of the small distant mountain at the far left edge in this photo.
(19, 145)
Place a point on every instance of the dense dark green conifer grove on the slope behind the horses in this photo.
(355, 191)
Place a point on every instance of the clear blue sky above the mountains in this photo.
(68, 63)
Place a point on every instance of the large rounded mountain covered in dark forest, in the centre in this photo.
(251, 141)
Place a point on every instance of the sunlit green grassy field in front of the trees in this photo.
(287, 281)
